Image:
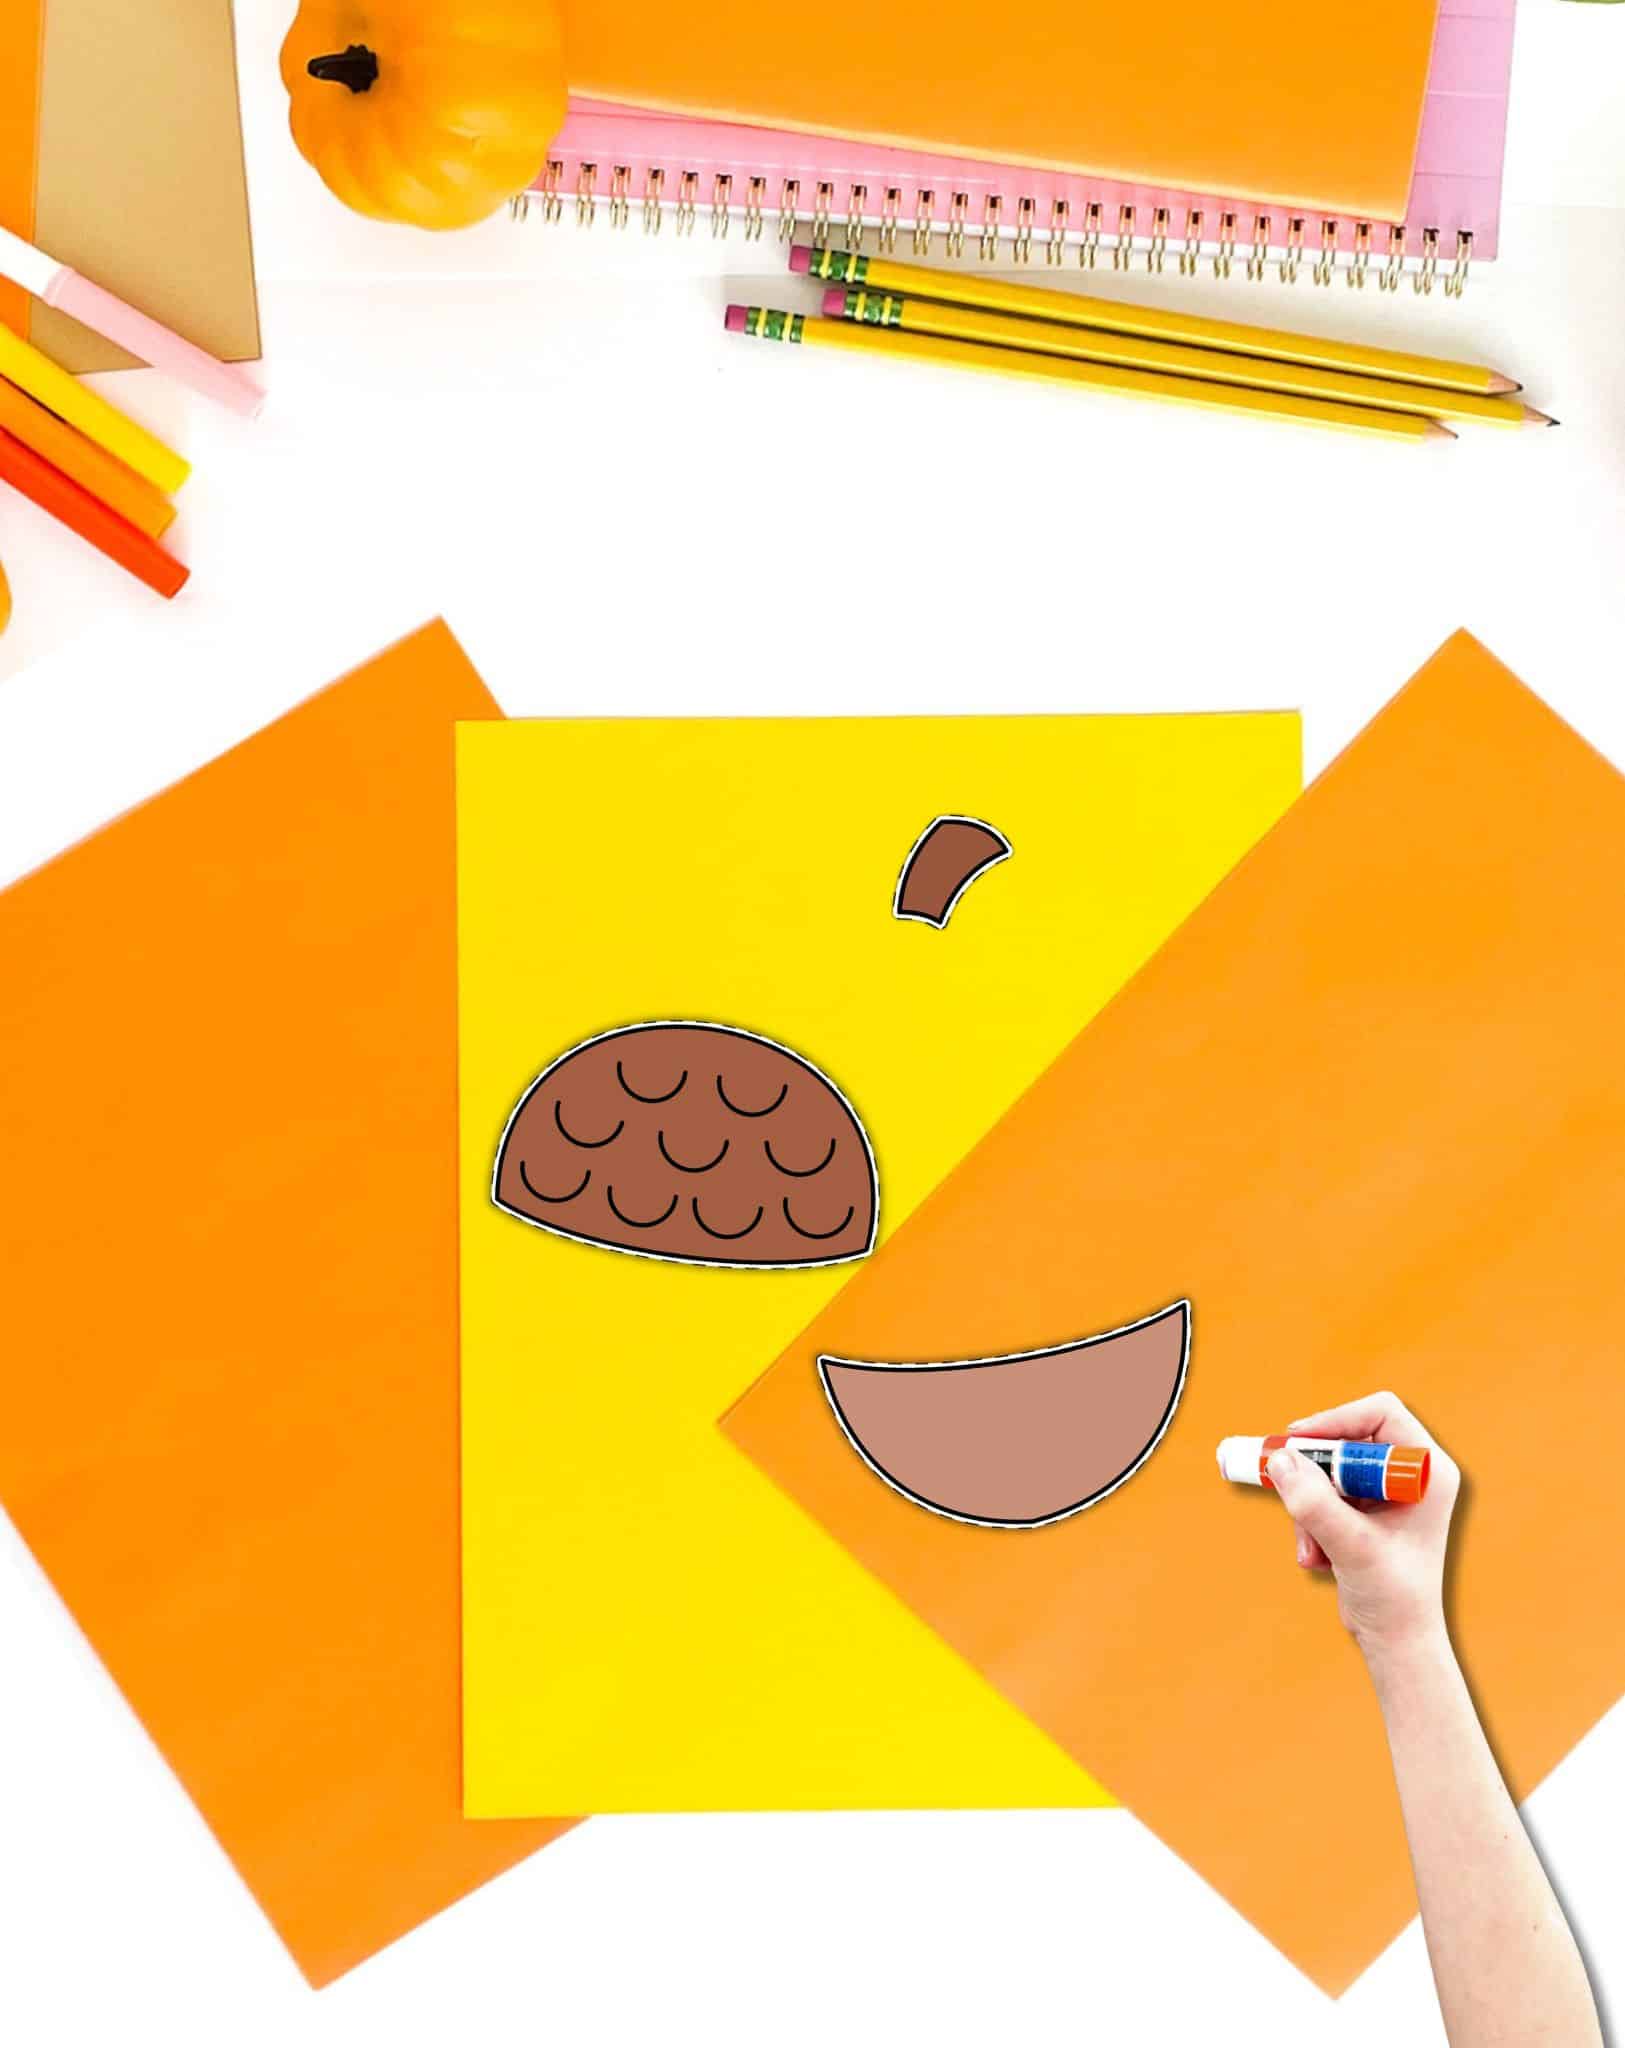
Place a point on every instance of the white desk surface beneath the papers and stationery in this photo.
(548, 437)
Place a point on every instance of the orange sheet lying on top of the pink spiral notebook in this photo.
(1306, 105)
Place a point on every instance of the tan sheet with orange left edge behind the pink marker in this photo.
(122, 155)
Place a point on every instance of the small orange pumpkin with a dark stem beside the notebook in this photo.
(425, 112)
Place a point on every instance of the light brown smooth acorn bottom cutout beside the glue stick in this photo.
(1017, 1441)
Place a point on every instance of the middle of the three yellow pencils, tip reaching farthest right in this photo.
(1132, 351)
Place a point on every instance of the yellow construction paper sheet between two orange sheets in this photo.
(649, 1621)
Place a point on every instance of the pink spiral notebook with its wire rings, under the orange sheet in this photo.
(618, 161)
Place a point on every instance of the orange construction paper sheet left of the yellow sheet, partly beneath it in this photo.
(228, 1291)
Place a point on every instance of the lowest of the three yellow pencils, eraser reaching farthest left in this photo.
(845, 335)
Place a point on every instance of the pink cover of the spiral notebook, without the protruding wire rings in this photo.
(606, 155)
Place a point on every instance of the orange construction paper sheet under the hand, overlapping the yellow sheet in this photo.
(1368, 1113)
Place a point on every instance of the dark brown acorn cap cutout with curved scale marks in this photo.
(698, 1144)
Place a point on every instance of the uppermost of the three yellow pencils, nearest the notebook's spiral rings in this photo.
(1159, 325)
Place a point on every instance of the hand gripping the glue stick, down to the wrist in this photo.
(1388, 1562)
